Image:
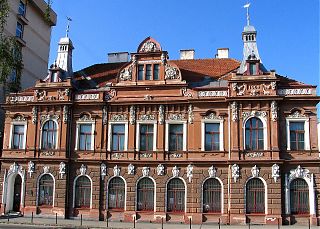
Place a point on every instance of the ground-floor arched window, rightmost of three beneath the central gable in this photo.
(175, 195)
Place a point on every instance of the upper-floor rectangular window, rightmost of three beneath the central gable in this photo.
(175, 137)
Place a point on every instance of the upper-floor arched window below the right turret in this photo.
(254, 134)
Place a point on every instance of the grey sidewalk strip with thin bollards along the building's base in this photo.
(67, 223)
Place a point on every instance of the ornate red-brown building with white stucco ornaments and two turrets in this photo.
(156, 139)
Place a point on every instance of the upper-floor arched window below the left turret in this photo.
(49, 135)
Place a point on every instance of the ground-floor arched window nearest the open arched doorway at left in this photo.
(45, 195)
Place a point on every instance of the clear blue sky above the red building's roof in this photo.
(288, 30)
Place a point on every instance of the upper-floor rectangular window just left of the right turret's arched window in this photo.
(212, 136)
